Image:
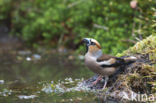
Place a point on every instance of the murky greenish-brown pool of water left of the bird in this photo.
(38, 78)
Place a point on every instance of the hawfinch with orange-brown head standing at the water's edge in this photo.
(102, 64)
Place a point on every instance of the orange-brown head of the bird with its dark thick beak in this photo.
(92, 45)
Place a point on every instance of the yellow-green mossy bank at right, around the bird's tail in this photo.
(140, 76)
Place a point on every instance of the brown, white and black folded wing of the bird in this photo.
(109, 61)
